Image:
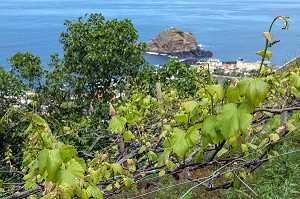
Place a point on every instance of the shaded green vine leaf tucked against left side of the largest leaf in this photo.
(208, 129)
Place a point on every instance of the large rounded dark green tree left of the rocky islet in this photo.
(100, 53)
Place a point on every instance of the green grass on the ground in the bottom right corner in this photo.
(276, 179)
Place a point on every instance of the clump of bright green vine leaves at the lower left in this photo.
(55, 164)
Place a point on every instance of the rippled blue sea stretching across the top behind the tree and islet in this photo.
(231, 29)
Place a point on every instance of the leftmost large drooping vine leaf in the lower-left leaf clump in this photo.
(50, 161)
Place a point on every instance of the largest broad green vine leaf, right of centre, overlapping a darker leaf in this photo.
(231, 120)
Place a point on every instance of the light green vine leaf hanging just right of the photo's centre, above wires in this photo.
(178, 142)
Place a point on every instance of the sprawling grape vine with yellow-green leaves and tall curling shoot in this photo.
(215, 125)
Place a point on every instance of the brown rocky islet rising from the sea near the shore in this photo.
(177, 43)
